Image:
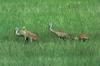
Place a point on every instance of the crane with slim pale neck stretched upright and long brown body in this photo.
(60, 34)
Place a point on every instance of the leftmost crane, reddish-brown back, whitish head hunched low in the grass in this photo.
(26, 34)
